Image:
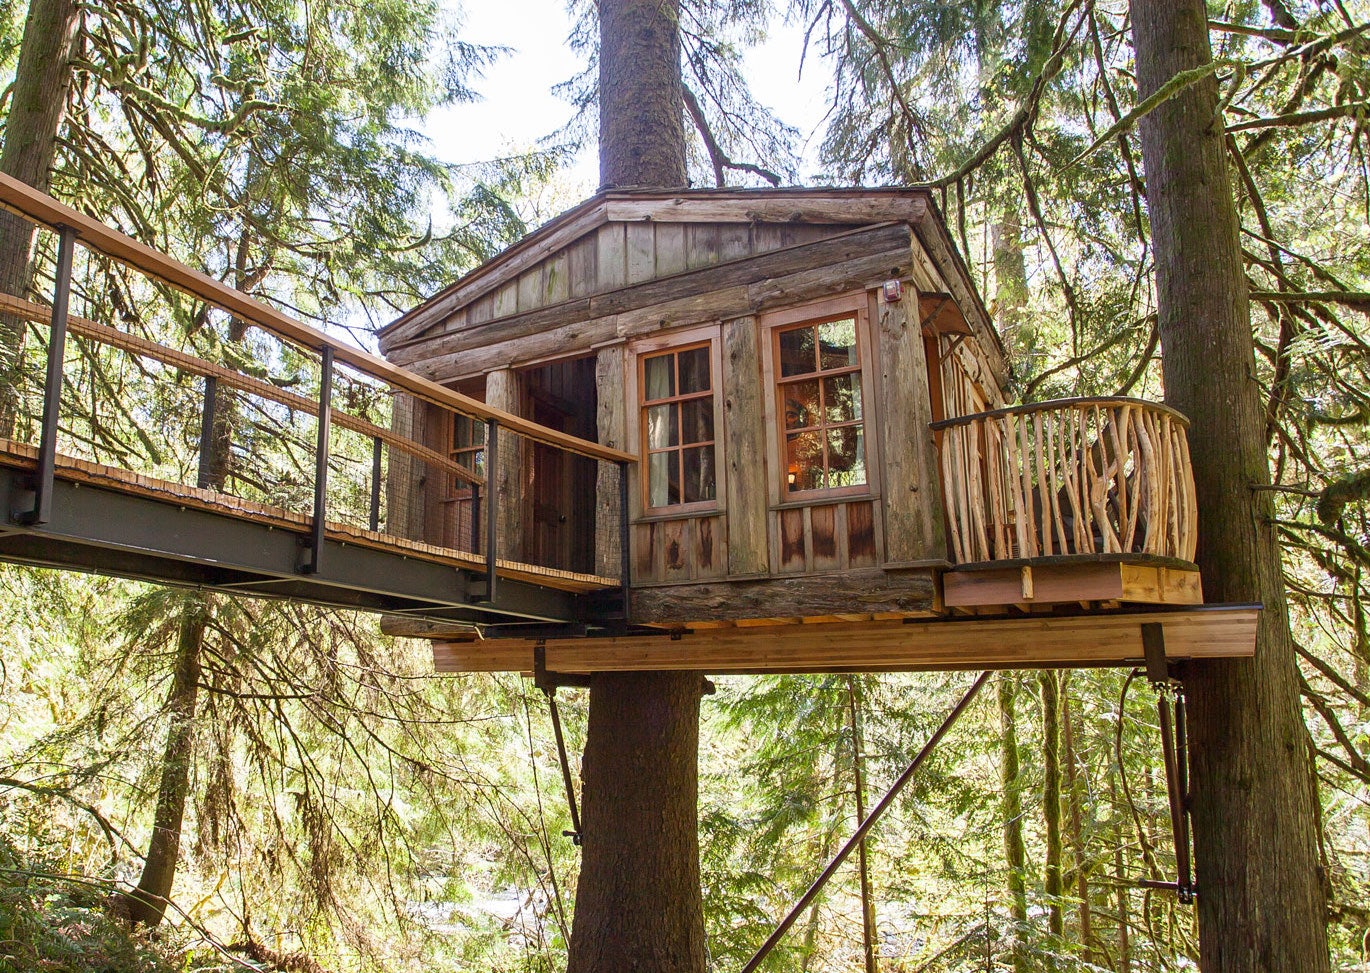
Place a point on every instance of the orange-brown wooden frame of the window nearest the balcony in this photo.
(854, 306)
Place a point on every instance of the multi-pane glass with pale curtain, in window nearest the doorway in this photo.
(677, 399)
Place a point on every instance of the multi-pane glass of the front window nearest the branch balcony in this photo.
(819, 394)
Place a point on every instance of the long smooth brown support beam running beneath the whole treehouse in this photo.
(1024, 642)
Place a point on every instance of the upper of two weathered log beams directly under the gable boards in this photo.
(865, 250)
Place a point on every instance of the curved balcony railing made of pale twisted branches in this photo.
(1069, 478)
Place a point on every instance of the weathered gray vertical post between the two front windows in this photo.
(745, 443)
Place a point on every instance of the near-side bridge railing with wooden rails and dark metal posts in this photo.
(123, 367)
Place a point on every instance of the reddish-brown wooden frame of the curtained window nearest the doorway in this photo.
(675, 345)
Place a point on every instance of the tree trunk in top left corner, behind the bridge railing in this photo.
(38, 106)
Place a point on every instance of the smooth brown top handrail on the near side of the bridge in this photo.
(42, 209)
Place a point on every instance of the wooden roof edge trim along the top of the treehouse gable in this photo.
(839, 208)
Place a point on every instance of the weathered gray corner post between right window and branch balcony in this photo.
(914, 527)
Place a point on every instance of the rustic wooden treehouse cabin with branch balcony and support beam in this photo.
(816, 401)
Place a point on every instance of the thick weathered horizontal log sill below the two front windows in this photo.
(805, 597)
